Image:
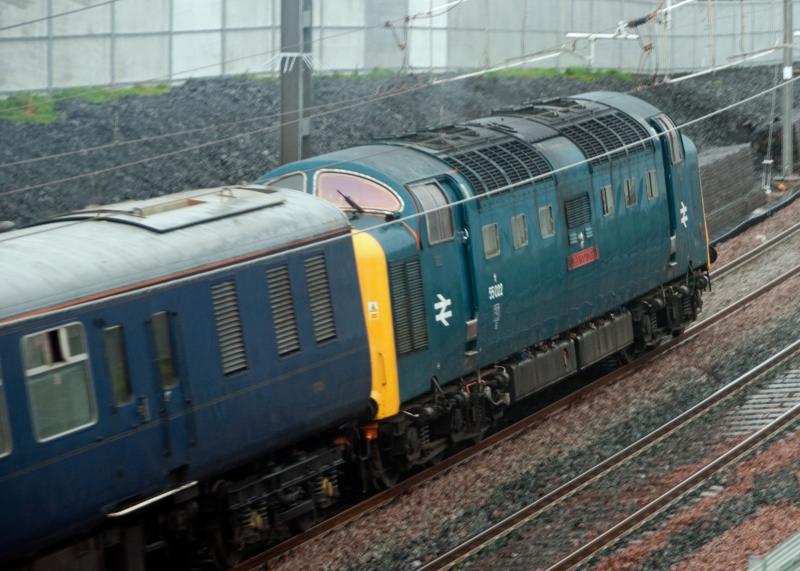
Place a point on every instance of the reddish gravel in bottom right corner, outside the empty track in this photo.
(749, 508)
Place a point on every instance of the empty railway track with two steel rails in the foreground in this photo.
(589, 487)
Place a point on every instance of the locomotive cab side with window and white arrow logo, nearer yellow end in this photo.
(444, 238)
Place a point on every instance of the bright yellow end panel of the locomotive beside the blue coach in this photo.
(373, 279)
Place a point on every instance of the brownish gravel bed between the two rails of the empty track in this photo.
(619, 493)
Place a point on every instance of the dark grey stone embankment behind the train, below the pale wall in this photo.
(254, 146)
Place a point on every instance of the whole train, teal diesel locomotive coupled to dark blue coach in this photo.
(198, 371)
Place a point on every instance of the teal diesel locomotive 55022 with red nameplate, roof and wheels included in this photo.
(556, 234)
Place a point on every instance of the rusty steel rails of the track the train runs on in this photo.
(271, 557)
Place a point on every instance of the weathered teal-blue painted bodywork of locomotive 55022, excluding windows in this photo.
(539, 297)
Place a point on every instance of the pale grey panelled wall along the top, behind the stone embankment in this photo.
(150, 40)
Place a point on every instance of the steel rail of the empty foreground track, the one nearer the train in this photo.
(551, 499)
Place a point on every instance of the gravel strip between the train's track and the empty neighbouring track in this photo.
(439, 514)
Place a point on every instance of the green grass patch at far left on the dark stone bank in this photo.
(40, 108)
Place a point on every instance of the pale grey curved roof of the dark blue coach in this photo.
(89, 252)
